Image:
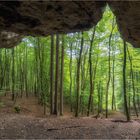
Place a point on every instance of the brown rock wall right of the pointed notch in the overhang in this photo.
(128, 19)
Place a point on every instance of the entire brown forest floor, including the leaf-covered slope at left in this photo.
(31, 123)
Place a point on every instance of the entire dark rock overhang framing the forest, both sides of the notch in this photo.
(41, 18)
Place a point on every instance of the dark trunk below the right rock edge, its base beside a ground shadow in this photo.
(124, 84)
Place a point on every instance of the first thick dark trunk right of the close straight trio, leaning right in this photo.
(78, 77)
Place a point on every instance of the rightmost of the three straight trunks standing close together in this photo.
(62, 75)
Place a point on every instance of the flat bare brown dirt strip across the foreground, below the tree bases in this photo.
(14, 126)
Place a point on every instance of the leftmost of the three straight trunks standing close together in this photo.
(52, 76)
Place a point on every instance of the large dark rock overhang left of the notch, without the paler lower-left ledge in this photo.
(44, 17)
